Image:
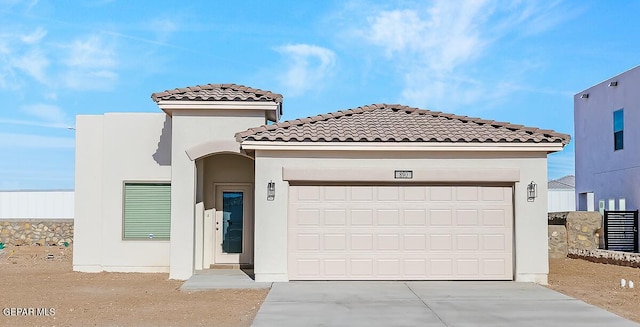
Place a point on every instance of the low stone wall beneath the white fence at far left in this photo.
(36, 231)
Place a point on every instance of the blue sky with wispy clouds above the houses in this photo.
(516, 61)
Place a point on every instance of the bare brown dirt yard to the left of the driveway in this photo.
(28, 279)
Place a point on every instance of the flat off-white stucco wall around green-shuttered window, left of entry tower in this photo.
(110, 150)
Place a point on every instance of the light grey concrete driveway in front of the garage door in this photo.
(426, 304)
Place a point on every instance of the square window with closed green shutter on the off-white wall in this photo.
(147, 211)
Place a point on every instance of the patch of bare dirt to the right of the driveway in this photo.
(598, 284)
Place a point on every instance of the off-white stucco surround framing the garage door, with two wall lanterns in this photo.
(530, 235)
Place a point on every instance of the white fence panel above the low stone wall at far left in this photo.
(36, 204)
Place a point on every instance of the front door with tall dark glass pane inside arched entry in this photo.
(233, 224)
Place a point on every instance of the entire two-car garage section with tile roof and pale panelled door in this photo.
(390, 192)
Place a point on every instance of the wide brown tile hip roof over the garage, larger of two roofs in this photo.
(398, 123)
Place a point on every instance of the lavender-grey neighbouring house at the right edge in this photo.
(607, 153)
